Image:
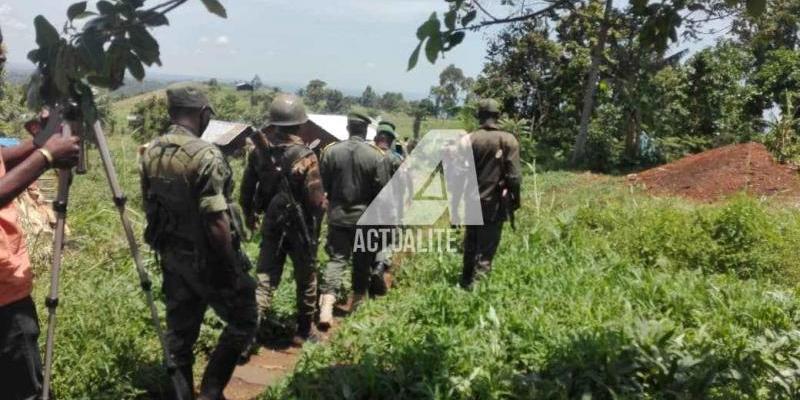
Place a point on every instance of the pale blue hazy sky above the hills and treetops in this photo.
(347, 43)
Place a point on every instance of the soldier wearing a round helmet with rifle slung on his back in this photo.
(282, 180)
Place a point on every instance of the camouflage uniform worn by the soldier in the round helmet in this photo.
(261, 188)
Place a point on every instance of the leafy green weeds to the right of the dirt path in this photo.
(601, 293)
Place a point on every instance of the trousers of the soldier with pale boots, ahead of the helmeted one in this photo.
(339, 247)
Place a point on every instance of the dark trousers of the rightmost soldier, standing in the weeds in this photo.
(480, 246)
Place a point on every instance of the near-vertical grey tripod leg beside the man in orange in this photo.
(60, 208)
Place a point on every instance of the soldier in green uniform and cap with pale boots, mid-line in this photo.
(353, 173)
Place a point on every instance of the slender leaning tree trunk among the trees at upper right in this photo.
(579, 152)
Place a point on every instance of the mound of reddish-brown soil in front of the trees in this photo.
(717, 173)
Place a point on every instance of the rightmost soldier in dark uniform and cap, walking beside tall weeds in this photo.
(496, 155)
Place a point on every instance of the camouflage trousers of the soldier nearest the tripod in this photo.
(191, 285)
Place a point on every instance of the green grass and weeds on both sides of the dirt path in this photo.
(602, 291)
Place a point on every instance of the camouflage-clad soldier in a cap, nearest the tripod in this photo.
(186, 184)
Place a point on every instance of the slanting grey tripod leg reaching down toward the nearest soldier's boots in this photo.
(179, 382)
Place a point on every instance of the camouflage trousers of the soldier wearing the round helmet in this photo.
(275, 246)
